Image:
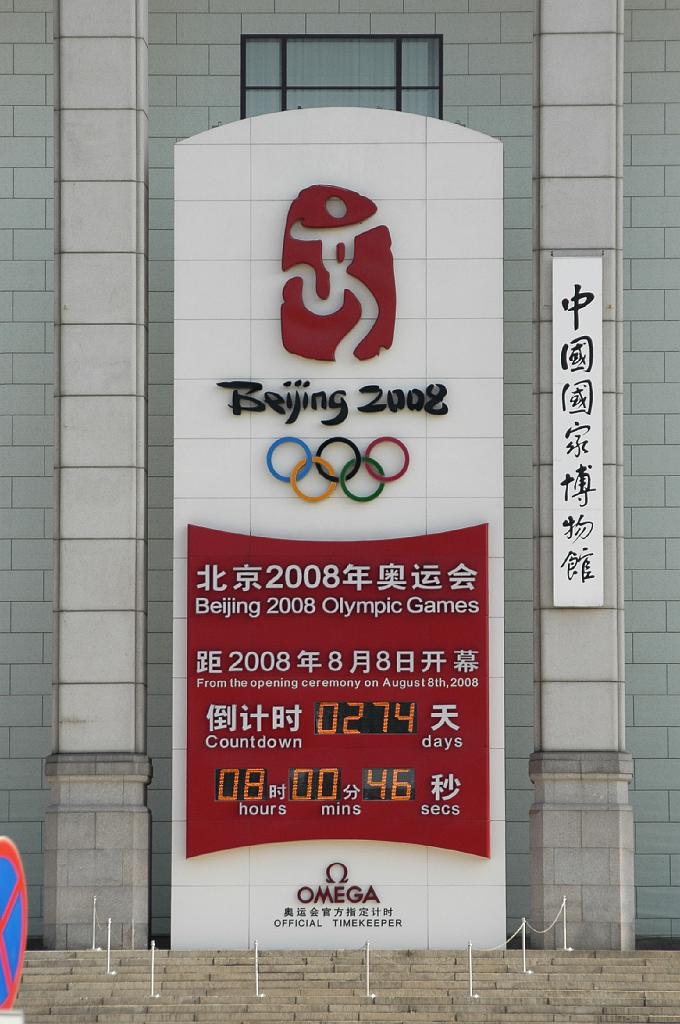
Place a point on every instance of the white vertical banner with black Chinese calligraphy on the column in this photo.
(578, 471)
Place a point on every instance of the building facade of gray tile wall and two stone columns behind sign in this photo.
(586, 100)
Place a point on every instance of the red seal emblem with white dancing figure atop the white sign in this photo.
(341, 296)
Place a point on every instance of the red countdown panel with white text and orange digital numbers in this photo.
(337, 691)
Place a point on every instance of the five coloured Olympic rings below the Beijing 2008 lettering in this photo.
(328, 473)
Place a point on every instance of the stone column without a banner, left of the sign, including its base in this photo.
(97, 831)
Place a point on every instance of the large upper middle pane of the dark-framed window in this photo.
(342, 62)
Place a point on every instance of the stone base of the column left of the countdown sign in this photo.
(97, 844)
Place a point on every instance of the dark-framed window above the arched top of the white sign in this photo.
(395, 73)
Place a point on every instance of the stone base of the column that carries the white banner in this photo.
(582, 842)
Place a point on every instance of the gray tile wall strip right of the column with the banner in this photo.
(652, 435)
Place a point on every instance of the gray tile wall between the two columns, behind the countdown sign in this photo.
(195, 68)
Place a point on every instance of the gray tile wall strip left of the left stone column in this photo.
(26, 428)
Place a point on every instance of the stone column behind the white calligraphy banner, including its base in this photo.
(581, 823)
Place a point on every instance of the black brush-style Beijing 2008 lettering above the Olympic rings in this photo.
(249, 397)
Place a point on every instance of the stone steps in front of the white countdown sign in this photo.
(68, 988)
